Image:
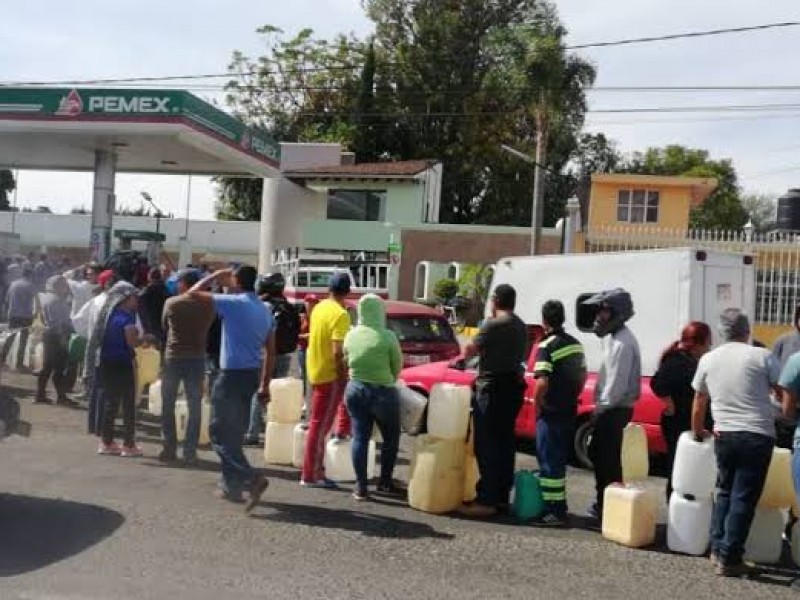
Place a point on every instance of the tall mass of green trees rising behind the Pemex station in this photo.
(439, 79)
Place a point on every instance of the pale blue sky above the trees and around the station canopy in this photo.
(96, 39)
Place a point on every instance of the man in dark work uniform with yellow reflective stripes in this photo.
(560, 373)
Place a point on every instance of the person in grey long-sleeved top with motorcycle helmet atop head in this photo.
(617, 389)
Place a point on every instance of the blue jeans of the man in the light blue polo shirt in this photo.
(230, 403)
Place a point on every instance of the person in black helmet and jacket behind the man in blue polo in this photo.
(287, 332)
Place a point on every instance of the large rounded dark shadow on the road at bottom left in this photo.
(36, 532)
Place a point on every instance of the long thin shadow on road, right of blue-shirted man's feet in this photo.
(335, 518)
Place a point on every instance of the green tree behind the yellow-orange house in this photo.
(723, 209)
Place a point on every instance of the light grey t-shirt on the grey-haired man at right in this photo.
(738, 378)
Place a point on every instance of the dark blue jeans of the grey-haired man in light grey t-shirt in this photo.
(742, 462)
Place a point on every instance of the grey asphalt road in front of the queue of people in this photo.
(77, 526)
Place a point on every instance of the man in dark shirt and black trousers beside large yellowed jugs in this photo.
(501, 344)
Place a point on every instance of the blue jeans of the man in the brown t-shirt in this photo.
(191, 372)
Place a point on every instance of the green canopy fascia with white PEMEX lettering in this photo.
(154, 106)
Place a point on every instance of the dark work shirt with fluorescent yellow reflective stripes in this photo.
(560, 358)
